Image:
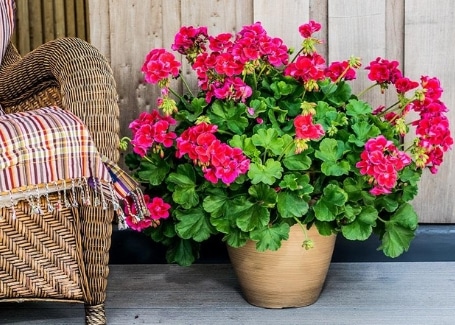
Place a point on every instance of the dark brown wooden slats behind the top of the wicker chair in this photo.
(39, 21)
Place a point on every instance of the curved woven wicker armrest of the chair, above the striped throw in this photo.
(71, 74)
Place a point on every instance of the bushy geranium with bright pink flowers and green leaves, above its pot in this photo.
(270, 139)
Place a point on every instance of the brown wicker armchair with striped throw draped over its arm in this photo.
(60, 255)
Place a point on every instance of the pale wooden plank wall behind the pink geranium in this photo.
(415, 32)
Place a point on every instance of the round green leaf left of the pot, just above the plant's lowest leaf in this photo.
(193, 224)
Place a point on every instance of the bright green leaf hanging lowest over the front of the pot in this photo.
(270, 237)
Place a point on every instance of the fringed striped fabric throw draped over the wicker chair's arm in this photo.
(50, 149)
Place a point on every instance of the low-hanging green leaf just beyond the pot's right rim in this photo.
(362, 227)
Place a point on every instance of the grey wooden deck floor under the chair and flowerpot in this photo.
(355, 293)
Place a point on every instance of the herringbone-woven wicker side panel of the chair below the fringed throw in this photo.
(39, 255)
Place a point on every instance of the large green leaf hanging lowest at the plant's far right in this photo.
(399, 231)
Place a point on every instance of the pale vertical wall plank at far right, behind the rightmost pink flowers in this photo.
(429, 45)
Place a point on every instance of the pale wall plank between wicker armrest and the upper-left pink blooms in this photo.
(131, 40)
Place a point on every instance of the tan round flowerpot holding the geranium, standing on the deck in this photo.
(289, 277)
